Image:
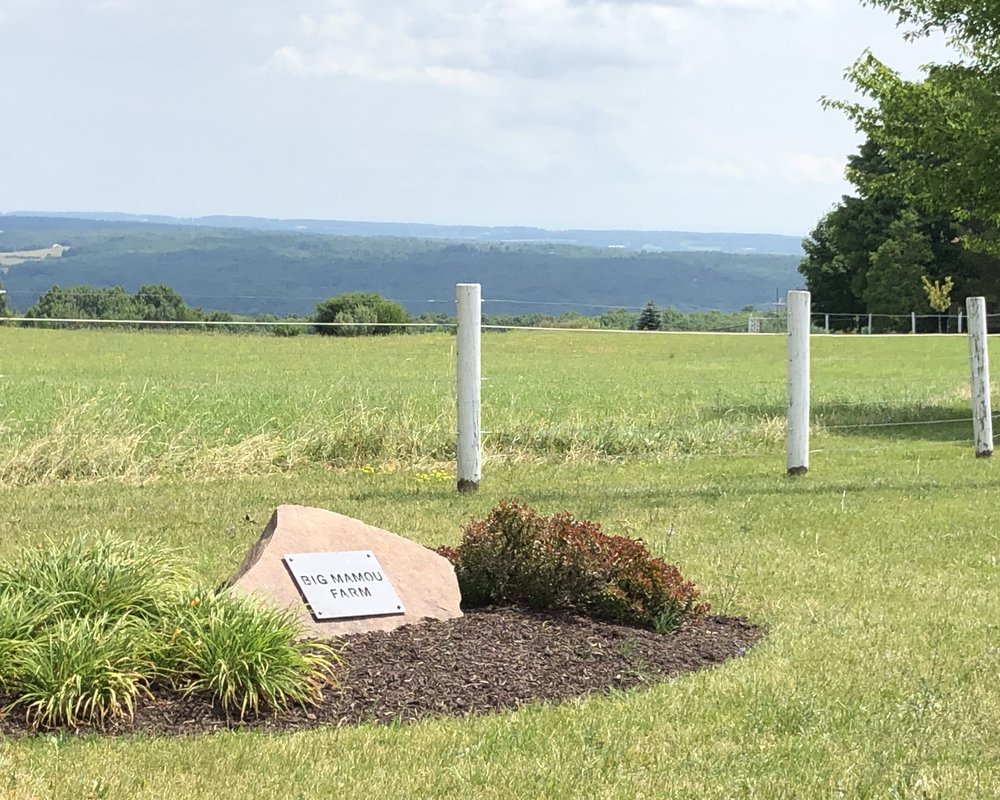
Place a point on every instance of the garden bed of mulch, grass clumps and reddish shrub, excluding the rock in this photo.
(104, 635)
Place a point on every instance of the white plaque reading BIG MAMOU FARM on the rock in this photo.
(345, 584)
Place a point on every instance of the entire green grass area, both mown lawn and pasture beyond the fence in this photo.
(877, 574)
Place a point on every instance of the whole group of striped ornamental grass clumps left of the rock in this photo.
(88, 628)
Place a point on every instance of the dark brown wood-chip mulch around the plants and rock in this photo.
(485, 661)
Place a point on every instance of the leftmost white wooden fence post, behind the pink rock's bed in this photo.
(470, 446)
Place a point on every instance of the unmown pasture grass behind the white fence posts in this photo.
(108, 405)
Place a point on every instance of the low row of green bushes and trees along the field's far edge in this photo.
(347, 314)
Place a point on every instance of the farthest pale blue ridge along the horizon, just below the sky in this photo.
(672, 241)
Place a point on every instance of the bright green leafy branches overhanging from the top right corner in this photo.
(941, 133)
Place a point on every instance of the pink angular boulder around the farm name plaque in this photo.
(424, 581)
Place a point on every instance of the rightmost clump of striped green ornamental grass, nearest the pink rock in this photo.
(244, 655)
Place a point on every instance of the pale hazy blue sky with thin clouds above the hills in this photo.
(699, 115)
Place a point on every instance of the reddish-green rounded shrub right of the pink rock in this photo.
(516, 555)
